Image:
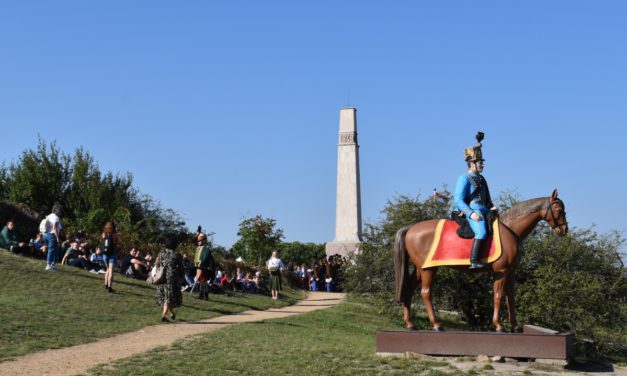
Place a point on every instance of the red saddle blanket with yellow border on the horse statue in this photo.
(449, 249)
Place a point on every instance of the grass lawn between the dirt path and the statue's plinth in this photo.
(334, 341)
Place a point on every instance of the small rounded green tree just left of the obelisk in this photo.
(258, 238)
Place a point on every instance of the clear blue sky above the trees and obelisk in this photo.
(224, 110)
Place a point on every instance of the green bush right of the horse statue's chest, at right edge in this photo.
(576, 284)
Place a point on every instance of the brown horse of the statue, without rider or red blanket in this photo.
(414, 242)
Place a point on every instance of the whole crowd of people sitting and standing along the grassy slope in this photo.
(202, 274)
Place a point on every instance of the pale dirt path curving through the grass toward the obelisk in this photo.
(77, 359)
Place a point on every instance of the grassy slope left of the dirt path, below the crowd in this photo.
(45, 310)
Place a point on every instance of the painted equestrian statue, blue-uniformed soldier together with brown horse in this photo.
(475, 239)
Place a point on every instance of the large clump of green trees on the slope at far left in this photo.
(46, 175)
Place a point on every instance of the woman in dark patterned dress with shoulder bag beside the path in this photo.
(169, 294)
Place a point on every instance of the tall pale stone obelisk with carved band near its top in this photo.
(348, 200)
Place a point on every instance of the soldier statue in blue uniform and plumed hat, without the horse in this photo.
(472, 197)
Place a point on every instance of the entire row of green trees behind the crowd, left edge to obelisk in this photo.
(90, 197)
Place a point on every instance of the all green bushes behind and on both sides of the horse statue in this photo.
(576, 283)
